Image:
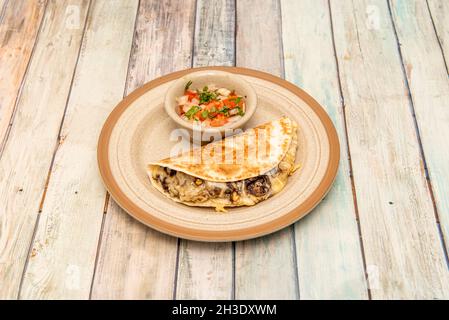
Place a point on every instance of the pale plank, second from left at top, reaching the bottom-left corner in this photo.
(32, 139)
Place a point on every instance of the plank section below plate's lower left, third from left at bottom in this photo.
(135, 262)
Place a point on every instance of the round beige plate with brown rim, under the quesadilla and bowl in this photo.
(138, 131)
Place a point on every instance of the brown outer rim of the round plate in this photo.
(205, 235)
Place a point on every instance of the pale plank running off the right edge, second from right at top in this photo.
(429, 88)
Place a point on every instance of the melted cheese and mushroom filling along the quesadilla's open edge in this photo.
(191, 189)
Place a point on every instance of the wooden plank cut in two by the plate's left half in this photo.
(134, 260)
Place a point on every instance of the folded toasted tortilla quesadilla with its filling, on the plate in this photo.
(241, 170)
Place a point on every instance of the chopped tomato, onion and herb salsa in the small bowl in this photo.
(210, 106)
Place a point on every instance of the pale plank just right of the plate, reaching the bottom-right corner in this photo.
(401, 241)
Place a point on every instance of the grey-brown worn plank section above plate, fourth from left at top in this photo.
(163, 40)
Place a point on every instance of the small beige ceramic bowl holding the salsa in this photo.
(203, 78)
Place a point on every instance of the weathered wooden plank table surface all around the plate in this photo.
(379, 68)
